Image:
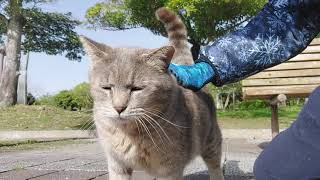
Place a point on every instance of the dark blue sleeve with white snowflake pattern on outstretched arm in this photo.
(282, 29)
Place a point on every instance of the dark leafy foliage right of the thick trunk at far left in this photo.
(52, 33)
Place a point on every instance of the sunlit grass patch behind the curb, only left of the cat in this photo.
(42, 118)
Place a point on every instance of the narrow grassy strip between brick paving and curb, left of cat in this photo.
(9, 146)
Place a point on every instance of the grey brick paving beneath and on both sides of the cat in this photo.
(85, 161)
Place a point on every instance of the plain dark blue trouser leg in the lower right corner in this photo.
(295, 153)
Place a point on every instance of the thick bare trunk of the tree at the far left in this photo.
(9, 77)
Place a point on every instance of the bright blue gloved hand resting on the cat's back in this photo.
(193, 77)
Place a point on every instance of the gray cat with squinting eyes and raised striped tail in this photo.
(144, 119)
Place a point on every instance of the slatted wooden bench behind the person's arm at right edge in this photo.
(297, 77)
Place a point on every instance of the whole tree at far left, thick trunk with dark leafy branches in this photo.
(24, 26)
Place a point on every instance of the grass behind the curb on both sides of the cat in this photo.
(52, 118)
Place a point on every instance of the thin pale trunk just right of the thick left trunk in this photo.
(22, 82)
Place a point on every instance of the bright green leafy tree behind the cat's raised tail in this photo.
(206, 20)
